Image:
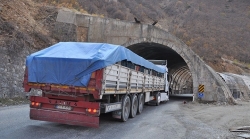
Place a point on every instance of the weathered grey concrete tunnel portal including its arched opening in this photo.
(186, 70)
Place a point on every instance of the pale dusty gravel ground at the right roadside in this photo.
(220, 116)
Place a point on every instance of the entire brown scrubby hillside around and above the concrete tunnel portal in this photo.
(218, 31)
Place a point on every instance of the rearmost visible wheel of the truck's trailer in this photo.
(125, 108)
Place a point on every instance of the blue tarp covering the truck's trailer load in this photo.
(71, 63)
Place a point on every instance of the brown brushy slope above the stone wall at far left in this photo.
(25, 23)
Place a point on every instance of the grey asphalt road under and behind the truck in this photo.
(156, 122)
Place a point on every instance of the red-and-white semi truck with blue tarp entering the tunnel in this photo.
(79, 81)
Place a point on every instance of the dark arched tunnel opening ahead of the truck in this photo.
(179, 75)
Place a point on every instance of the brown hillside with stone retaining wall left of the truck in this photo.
(25, 27)
